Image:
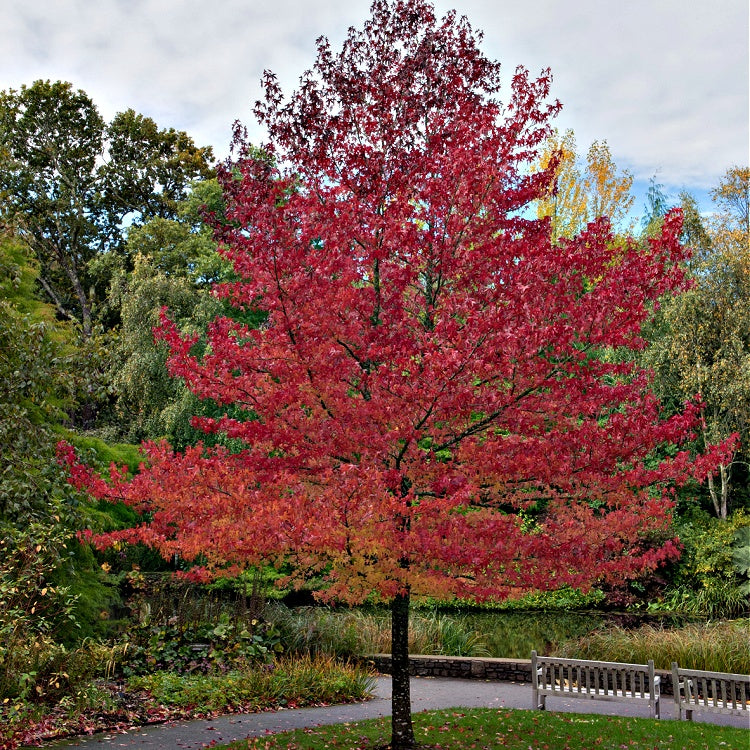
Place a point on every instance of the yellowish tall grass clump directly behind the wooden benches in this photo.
(717, 647)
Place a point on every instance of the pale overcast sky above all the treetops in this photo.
(664, 82)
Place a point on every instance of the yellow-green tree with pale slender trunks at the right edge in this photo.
(702, 343)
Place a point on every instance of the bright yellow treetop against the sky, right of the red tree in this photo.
(582, 193)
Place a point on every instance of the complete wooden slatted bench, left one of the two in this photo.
(596, 680)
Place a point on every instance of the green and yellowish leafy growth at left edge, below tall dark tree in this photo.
(52, 591)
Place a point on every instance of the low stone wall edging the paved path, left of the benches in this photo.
(474, 668)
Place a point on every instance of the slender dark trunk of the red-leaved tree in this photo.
(402, 732)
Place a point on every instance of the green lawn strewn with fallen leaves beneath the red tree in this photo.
(482, 729)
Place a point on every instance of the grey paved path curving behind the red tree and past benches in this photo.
(426, 692)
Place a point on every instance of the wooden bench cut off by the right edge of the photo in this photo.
(718, 692)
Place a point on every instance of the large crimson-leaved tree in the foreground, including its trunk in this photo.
(440, 402)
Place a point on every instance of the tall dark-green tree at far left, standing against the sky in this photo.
(51, 137)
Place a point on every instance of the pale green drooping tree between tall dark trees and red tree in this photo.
(175, 264)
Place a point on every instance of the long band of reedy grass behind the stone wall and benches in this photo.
(720, 647)
